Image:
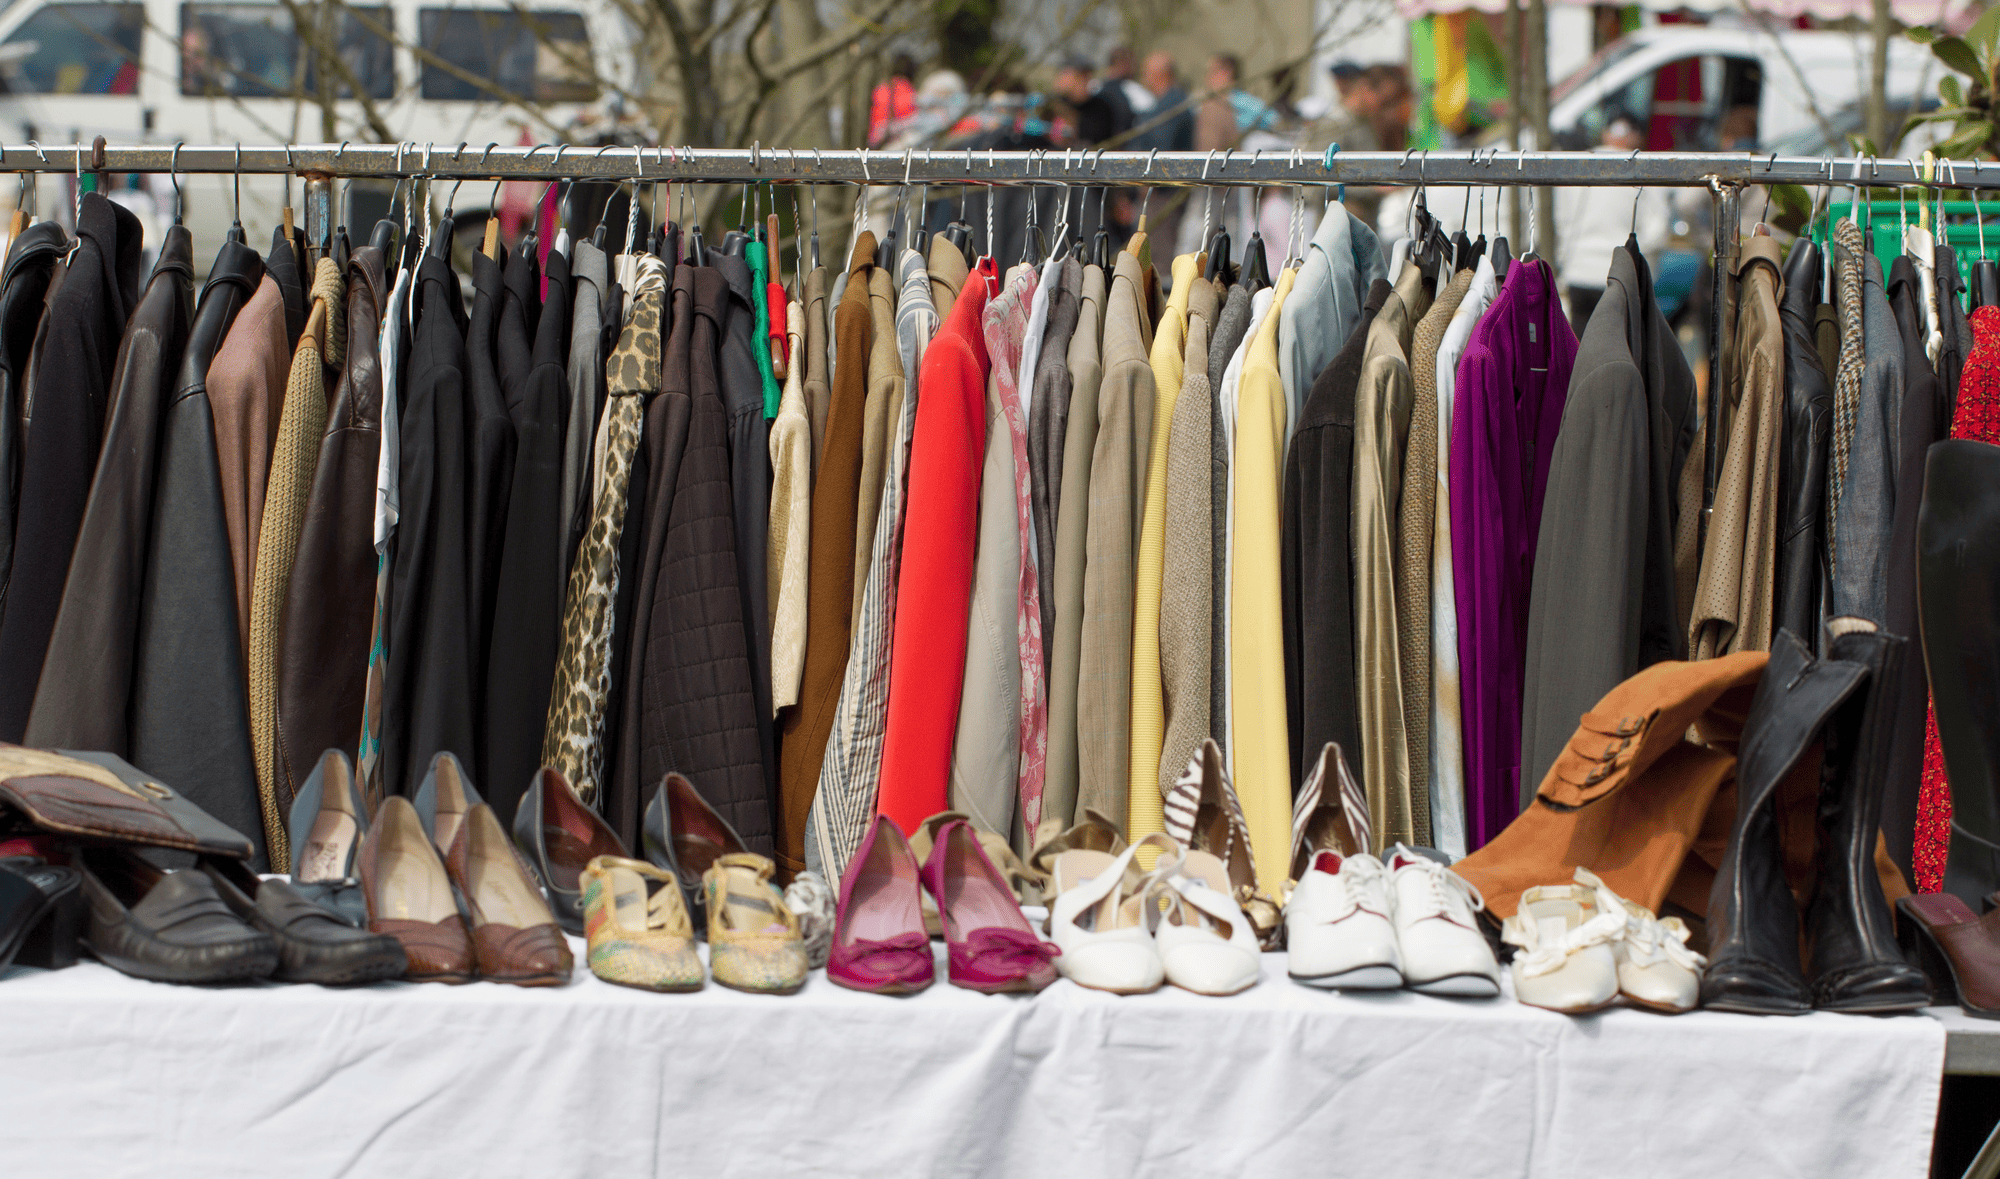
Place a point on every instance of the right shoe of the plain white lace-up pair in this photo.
(1437, 932)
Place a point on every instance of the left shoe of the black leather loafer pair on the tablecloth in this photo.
(167, 926)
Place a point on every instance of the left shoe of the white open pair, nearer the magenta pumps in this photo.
(1101, 918)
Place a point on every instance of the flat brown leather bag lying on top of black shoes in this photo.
(105, 798)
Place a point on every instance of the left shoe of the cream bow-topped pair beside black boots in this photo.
(1565, 936)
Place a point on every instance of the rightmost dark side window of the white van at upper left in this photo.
(487, 55)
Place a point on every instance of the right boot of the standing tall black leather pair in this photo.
(1855, 960)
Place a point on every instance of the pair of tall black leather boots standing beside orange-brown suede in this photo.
(1849, 704)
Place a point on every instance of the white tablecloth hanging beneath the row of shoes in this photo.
(109, 1076)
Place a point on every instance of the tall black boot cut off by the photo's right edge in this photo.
(1959, 592)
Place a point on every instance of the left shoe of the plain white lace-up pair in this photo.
(1339, 930)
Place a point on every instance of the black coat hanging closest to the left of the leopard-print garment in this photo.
(527, 636)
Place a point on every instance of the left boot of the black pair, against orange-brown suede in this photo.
(1753, 918)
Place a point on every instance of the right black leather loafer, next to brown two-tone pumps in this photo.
(315, 946)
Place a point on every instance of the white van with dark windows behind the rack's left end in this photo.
(237, 71)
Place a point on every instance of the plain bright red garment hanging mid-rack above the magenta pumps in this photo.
(935, 590)
